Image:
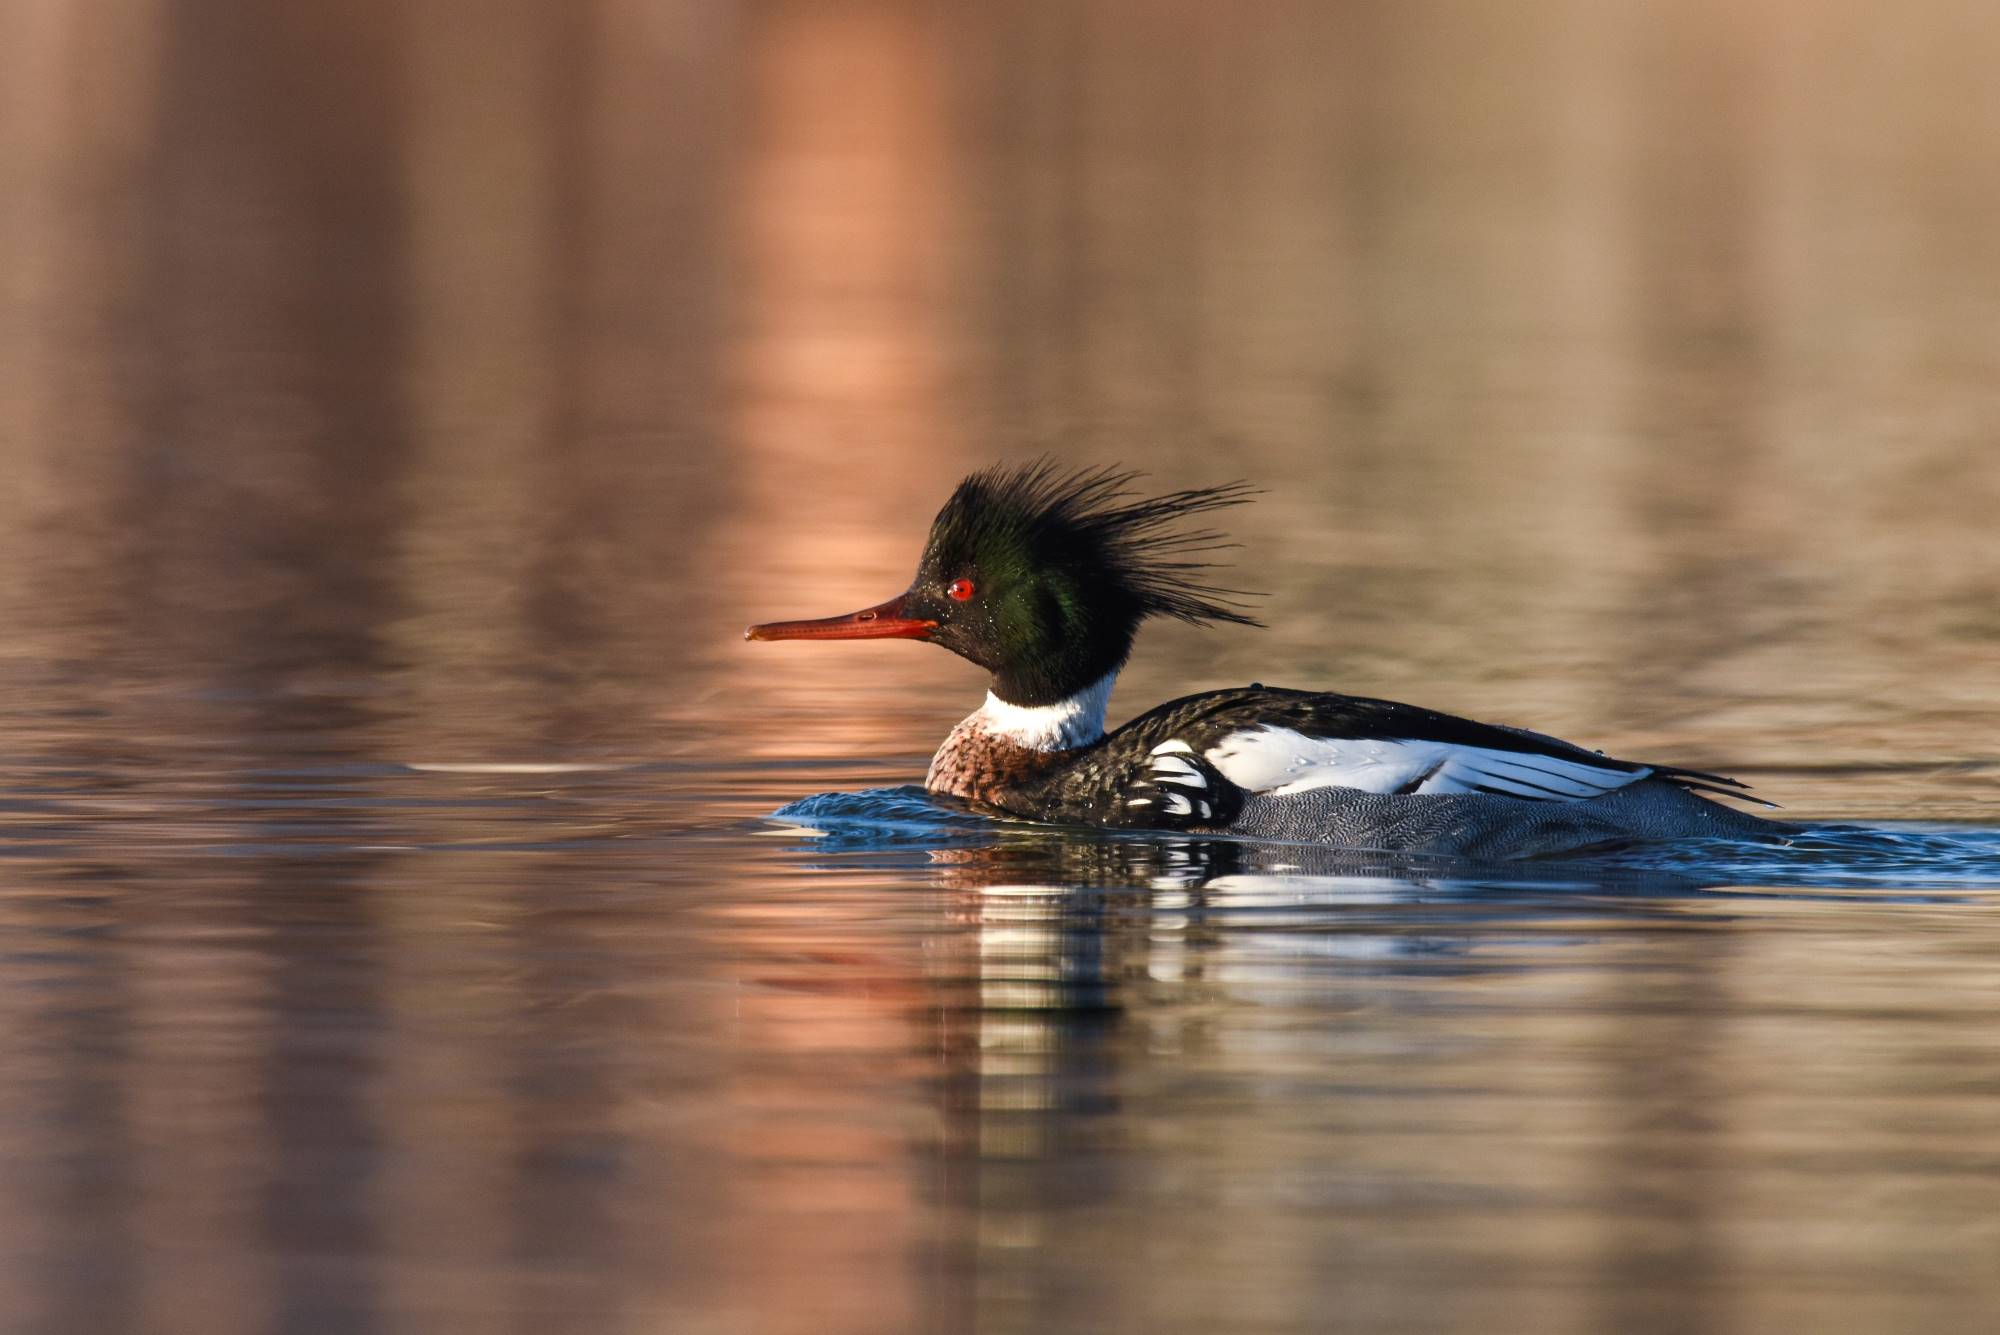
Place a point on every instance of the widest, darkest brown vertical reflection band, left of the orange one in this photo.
(263, 499)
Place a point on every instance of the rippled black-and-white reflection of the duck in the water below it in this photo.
(1173, 1022)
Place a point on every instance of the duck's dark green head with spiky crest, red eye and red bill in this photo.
(1045, 575)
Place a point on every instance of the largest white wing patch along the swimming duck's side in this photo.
(1279, 762)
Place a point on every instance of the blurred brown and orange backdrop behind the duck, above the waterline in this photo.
(1621, 371)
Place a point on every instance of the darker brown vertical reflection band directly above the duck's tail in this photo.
(1703, 347)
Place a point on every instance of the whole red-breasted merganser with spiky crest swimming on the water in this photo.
(1043, 577)
